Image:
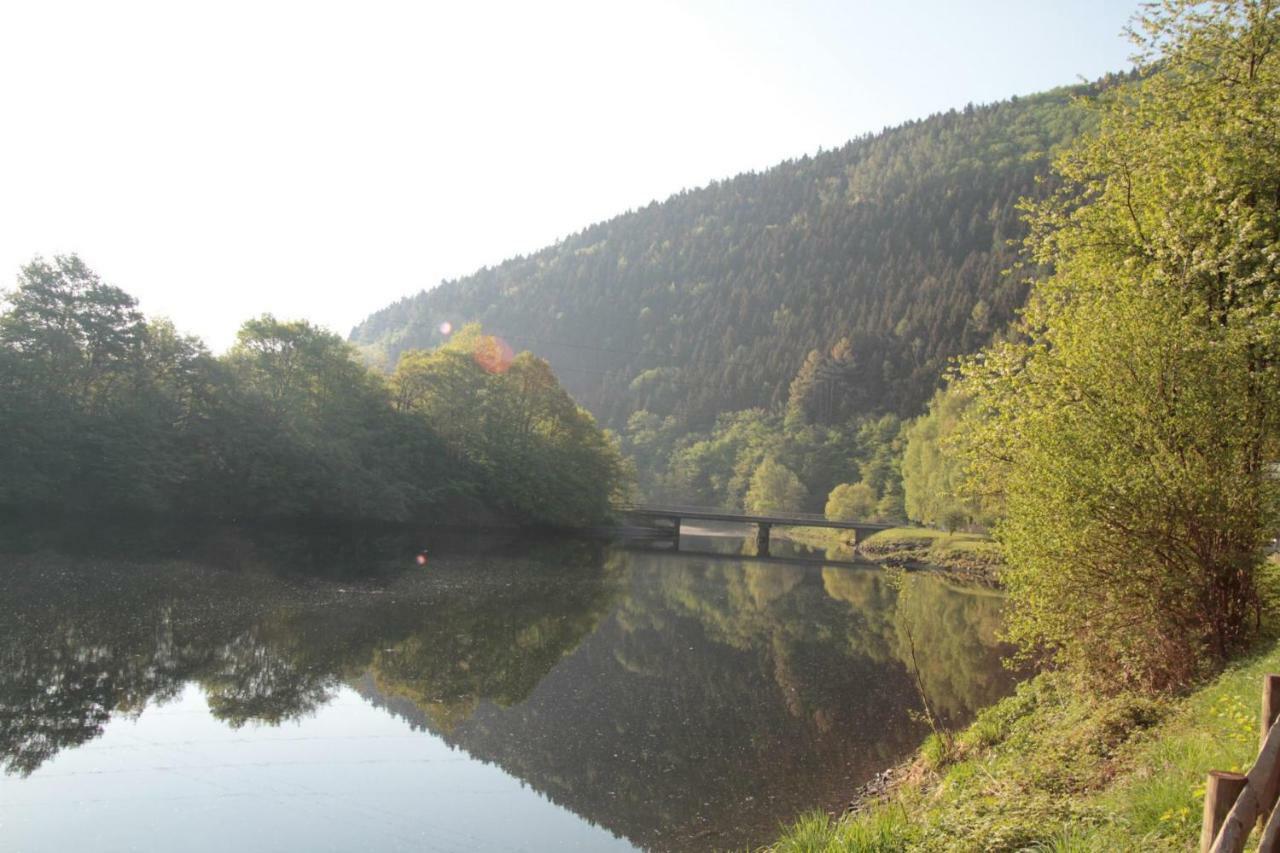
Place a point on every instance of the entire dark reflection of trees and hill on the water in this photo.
(678, 703)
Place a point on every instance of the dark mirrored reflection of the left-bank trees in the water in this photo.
(90, 641)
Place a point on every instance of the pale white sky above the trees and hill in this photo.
(323, 159)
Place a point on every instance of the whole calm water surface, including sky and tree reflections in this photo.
(286, 692)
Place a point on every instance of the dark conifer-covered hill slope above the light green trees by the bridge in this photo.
(712, 300)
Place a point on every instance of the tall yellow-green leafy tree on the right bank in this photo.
(1131, 432)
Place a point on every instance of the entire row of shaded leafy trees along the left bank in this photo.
(103, 410)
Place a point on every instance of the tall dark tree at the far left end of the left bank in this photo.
(74, 405)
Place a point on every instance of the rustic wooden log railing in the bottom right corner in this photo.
(1236, 804)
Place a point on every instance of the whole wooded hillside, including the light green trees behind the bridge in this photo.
(762, 341)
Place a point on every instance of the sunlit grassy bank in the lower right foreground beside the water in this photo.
(1050, 769)
